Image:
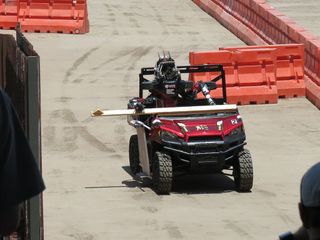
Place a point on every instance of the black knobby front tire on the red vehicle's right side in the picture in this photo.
(243, 171)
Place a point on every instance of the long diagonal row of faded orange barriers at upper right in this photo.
(256, 22)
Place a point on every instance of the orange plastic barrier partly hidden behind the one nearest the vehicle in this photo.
(289, 68)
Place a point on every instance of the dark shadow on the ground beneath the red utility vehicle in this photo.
(187, 184)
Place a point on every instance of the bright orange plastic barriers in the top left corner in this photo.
(59, 16)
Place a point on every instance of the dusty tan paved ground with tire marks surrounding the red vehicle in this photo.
(90, 193)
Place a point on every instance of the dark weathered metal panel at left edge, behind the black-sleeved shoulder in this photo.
(26, 94)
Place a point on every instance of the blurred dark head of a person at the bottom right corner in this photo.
(309, 206)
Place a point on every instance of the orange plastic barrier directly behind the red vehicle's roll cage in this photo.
(250, 74)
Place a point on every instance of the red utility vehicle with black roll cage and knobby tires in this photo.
(189, 142)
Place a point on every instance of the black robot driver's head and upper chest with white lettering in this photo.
(167, 75)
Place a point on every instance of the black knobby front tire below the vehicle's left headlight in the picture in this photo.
(162, 173)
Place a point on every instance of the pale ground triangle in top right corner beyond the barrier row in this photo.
(305, 13)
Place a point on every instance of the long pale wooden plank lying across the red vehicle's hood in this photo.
(167, 111)
